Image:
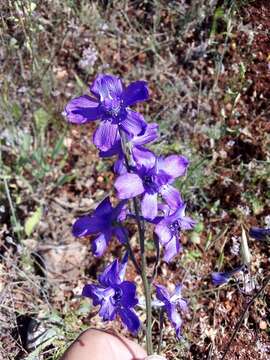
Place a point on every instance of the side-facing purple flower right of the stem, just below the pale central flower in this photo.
(168, 230)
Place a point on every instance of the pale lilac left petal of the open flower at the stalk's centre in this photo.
(128, 185)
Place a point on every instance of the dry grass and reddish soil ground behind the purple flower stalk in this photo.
(208, 67)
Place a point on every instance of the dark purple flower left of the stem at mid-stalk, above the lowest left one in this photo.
(105, 220)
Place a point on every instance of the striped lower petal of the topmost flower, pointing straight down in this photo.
(106, 135)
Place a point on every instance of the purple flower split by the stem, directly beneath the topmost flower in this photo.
(135, 144)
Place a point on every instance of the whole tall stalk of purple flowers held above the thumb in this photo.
(144, 187)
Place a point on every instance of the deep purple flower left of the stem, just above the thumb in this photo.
(115, 296)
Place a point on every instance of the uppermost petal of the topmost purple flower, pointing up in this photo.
(107, 86)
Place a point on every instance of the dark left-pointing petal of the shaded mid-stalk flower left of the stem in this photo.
(86, 225)
